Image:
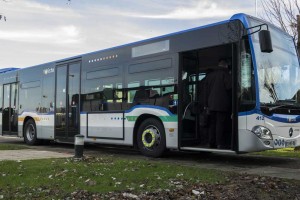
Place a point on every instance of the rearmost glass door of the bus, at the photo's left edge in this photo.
(10, 109)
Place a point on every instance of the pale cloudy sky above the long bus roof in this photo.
(40, 31)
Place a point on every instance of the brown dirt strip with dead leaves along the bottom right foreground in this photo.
(244, 187)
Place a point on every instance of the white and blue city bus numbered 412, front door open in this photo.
(148, 94)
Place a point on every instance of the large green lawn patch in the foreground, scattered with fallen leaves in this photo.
(57, 178)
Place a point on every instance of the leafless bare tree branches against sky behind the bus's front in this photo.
(283, 13)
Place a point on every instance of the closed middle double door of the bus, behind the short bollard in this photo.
(67, 100)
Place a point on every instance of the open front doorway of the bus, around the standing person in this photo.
(195, 65)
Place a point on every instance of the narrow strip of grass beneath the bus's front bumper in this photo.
(286, 152)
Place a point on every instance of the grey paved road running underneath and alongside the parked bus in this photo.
(251, 164)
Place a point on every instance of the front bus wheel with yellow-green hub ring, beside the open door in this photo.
(151, 138)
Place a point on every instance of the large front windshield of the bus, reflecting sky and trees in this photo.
(278, 72)
